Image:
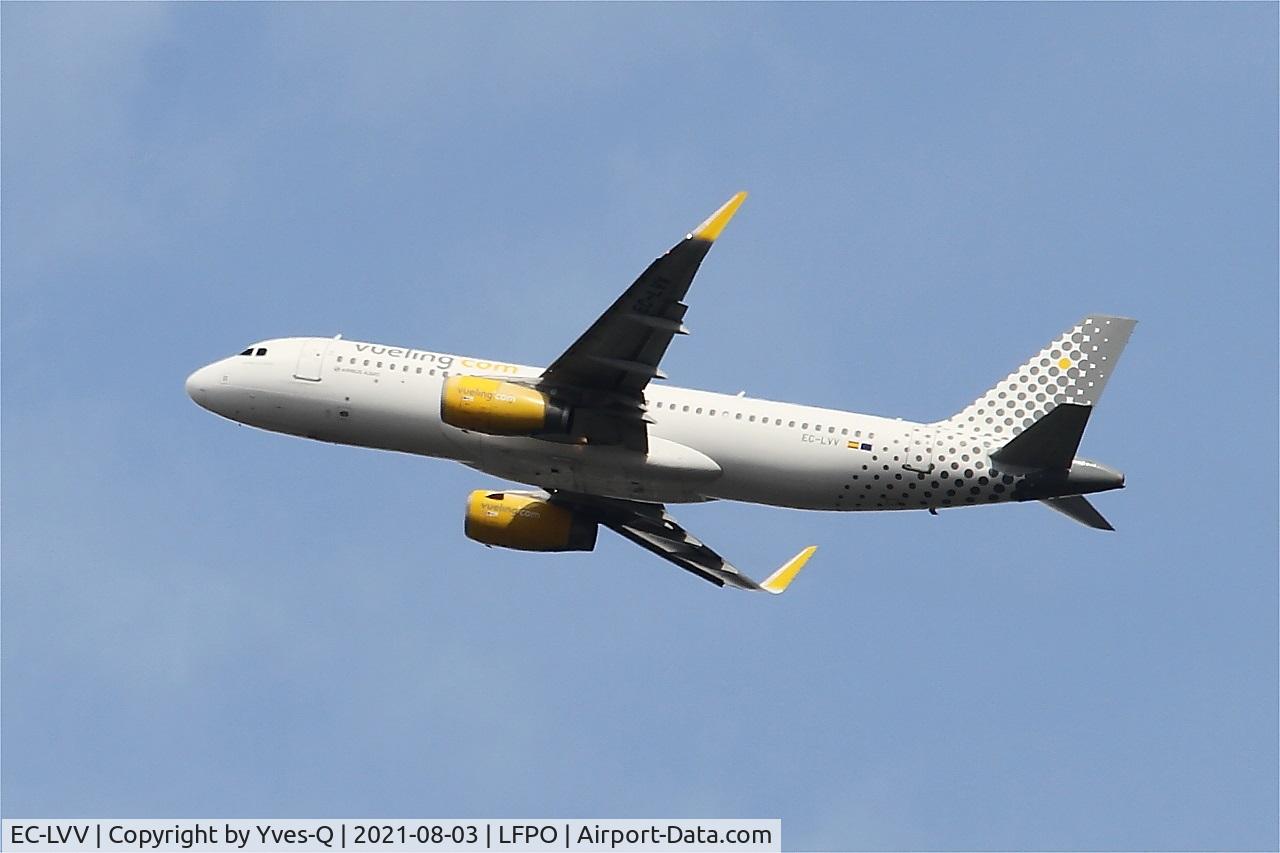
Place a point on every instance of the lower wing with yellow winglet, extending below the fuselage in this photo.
(651, 527)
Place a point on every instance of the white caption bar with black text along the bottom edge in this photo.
(209, 836)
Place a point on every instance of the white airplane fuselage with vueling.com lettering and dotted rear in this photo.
(702, 445)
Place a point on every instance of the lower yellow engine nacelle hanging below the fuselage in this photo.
(527, 523)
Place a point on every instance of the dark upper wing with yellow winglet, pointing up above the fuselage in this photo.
(605, 373)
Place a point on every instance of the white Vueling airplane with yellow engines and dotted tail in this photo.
(602, 444)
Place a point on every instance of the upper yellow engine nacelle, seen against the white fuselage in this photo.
(497, 408)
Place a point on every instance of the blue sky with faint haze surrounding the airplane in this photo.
(203, 619)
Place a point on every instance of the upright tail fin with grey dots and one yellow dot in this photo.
(1075, 368)
